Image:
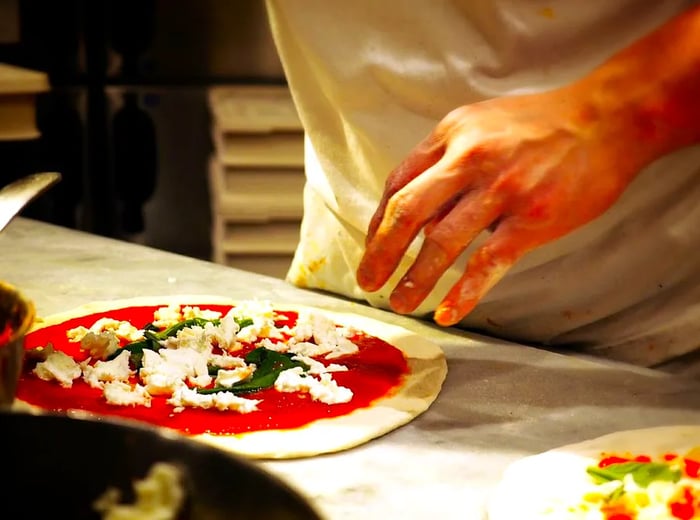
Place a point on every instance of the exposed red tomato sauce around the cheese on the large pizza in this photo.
(373, 372)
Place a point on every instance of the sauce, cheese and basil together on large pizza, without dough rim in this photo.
(197, 369)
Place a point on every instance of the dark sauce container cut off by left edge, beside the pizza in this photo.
(16, 318)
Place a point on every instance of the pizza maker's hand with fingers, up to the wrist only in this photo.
(529, 168)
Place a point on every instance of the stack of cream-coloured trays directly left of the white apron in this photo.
(256, 177)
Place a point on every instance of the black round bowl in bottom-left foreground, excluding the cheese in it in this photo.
(56, 466)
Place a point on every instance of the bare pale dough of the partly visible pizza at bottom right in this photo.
(537, 483)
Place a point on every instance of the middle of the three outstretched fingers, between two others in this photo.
(444, 241)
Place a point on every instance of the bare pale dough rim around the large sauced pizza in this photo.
(426, 361)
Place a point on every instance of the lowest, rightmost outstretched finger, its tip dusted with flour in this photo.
(484, 269)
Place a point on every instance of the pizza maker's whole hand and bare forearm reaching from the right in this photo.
(530, 168)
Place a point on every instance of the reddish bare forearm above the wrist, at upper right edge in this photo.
(649, 93)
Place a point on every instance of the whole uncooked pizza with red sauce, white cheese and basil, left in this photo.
(262, 380)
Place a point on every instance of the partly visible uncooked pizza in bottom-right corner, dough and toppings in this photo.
(642, 474)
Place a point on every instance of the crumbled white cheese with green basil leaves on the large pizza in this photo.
(186, 354)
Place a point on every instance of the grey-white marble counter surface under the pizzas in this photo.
(500, 401)
